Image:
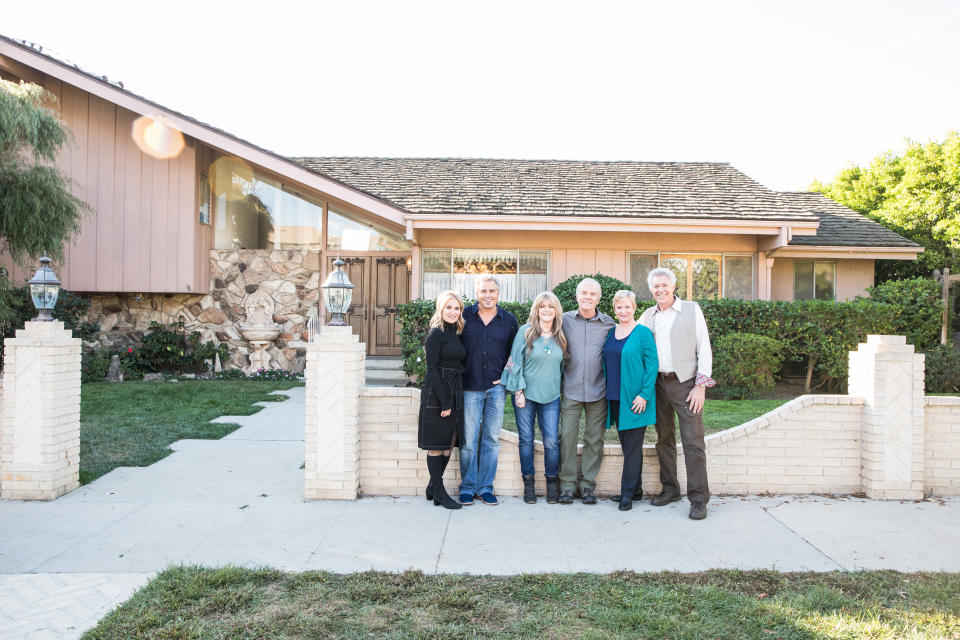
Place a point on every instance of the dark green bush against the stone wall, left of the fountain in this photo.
(170, 350)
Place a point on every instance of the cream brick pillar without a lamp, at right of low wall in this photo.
(888, 375)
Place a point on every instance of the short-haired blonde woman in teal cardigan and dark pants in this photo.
(630, 362)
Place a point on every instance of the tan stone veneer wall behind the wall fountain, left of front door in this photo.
(291, 277)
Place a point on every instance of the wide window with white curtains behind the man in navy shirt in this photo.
(522, 274)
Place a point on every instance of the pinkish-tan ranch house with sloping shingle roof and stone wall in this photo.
(189, 221)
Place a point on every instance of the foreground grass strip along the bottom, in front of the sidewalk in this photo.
(188, 602)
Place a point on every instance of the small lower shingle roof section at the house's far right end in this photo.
(841, 226)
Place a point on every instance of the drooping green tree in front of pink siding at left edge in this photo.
(38, 211)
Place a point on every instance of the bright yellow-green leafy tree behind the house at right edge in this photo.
(917, 194)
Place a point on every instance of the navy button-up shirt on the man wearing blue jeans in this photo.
(488, 346)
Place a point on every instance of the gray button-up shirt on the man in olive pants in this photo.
(583, 379)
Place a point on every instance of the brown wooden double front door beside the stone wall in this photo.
(381, 285)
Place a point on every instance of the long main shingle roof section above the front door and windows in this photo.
(561, 187)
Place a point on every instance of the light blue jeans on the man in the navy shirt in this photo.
(482, 421)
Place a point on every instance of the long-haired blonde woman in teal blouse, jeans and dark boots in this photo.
(533, 375)
